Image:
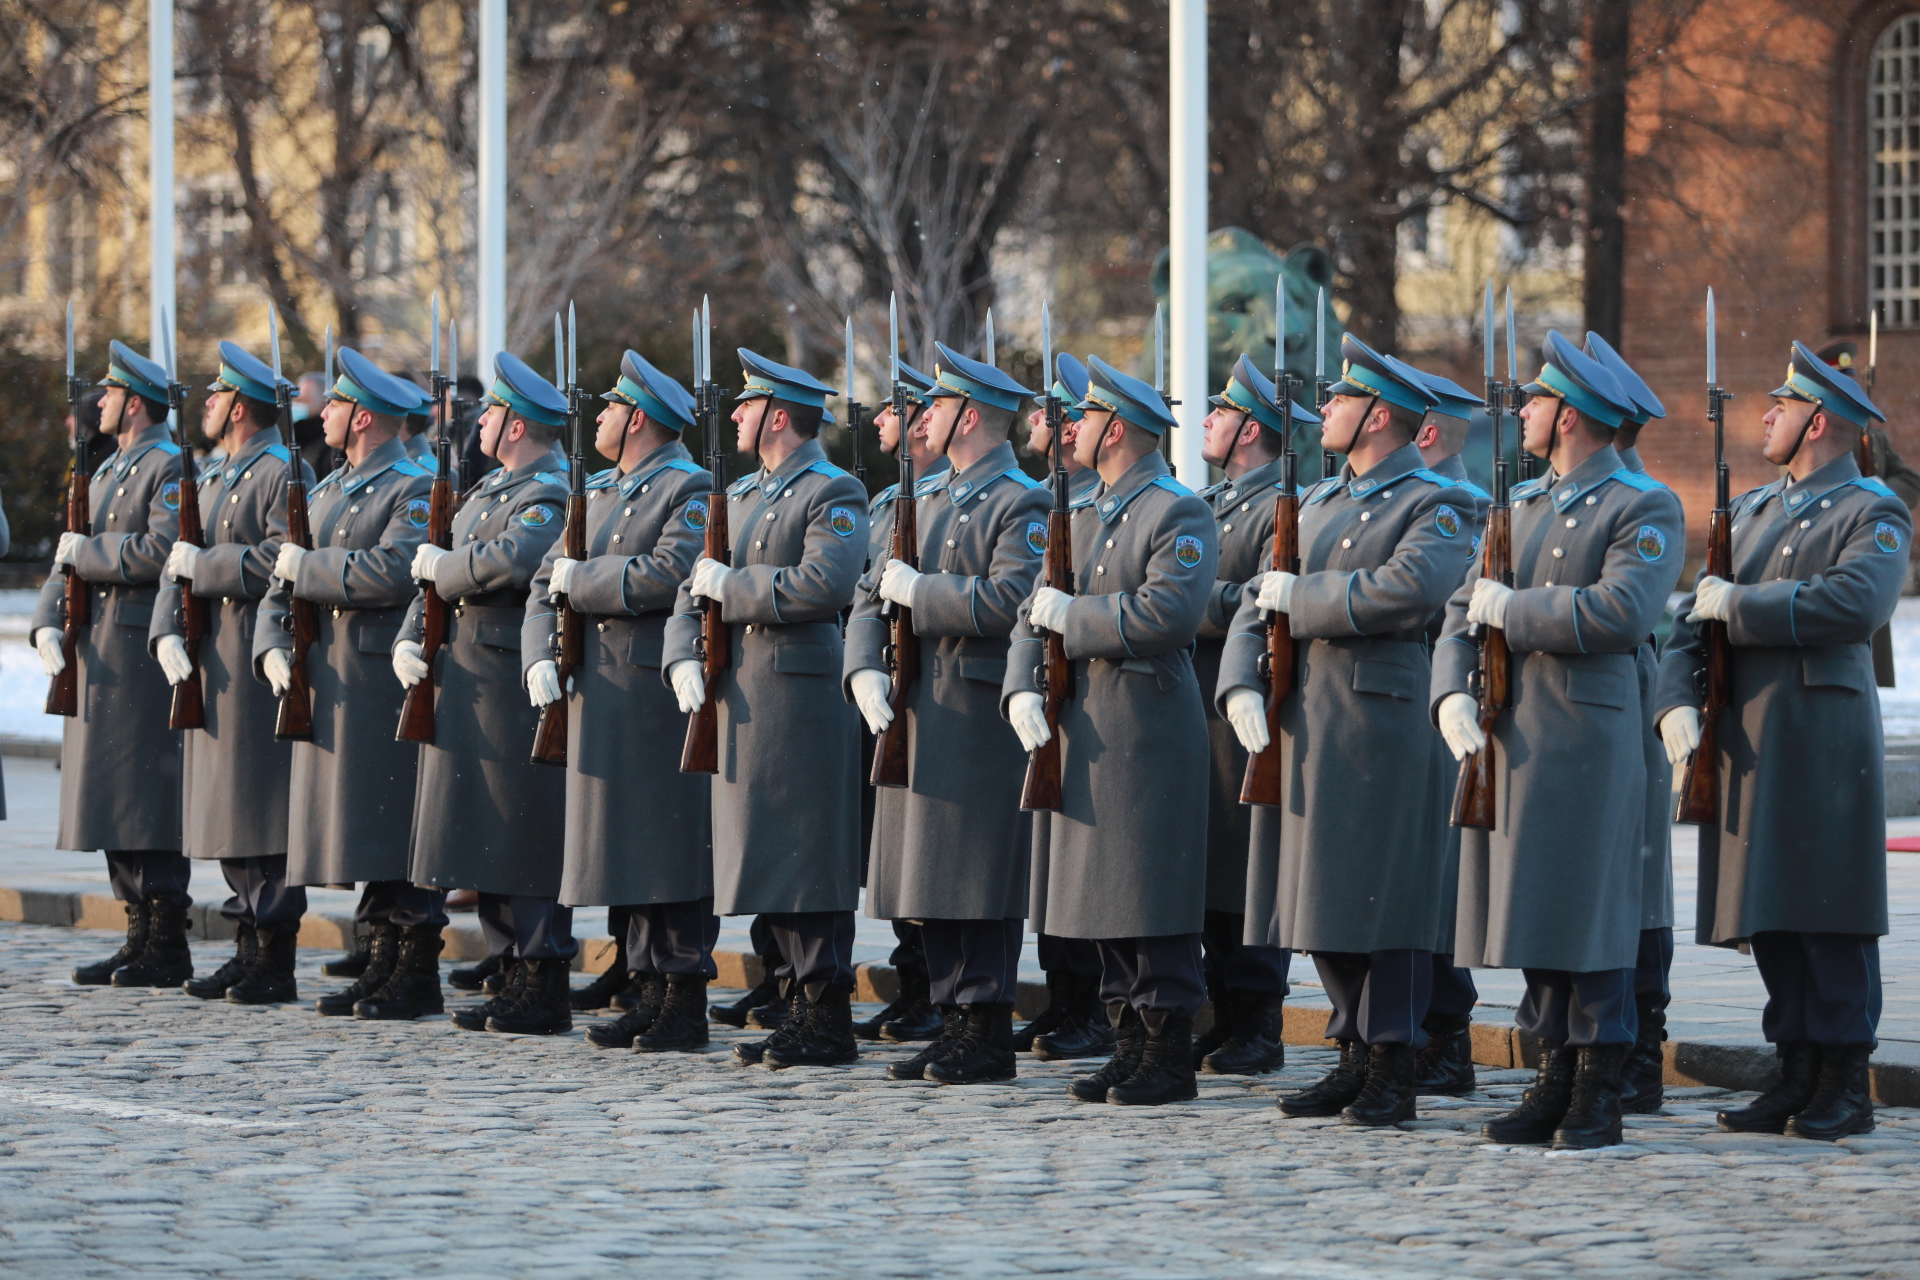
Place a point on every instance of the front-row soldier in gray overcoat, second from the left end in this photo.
(237, 772)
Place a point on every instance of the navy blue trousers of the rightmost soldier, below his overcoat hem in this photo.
(1821, 987)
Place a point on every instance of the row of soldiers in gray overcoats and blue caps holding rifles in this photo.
(1151, 888)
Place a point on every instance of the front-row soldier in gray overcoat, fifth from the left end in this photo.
(636, 826)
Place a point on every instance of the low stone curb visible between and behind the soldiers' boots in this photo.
(1691, 1064)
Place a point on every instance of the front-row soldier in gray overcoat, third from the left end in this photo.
(350, 805)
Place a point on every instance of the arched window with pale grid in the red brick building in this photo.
(1894, 174)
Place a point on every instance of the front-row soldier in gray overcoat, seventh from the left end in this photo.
(951, 845)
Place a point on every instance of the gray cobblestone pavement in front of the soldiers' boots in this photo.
(155, 1135)
